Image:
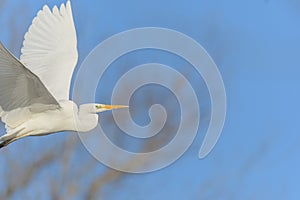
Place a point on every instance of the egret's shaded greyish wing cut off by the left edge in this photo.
(20, 88)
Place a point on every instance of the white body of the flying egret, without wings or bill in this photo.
(67, 118)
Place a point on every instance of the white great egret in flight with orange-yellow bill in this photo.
(34, 92)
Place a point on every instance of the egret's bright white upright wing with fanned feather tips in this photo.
(50, 49)
